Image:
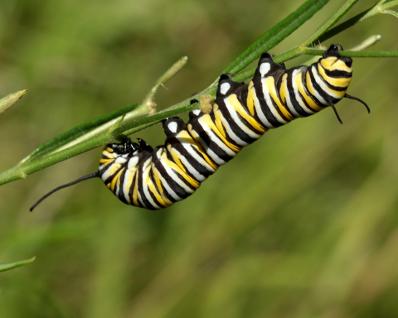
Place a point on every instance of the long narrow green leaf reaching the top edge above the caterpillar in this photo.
(276, 34)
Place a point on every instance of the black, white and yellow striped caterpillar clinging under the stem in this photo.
(155, 178)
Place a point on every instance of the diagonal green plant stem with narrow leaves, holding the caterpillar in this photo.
(133, 121)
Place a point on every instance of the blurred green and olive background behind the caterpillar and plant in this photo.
(302, 224)
